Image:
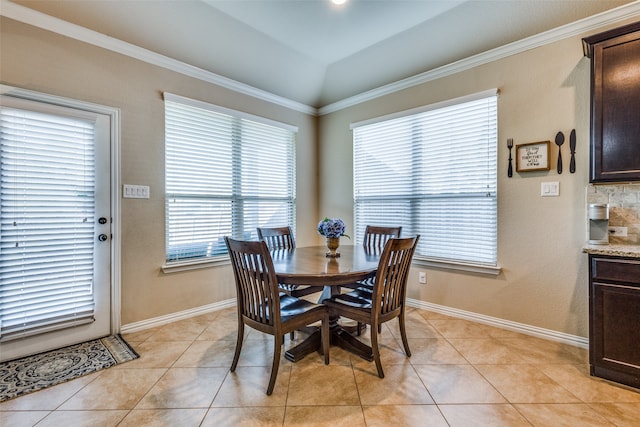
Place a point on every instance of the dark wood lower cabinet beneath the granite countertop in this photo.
(614, 319)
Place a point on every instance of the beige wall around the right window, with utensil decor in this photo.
(544, 280)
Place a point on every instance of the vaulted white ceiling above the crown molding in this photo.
(313, 51)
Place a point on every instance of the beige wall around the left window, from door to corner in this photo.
(38, 60)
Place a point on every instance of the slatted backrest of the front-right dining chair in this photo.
(389, 289)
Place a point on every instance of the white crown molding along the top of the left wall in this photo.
(77, 32)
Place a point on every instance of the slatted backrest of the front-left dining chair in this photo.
(256, 283)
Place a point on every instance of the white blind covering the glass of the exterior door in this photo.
(46, 221)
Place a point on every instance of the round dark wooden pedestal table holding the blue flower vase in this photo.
(310, 266)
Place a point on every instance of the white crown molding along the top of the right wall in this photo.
(582, 26)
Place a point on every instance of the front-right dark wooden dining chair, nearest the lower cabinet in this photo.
(389, 295)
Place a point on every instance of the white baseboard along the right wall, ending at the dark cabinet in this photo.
(501, 323)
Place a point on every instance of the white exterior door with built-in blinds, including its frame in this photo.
(55, 226)
